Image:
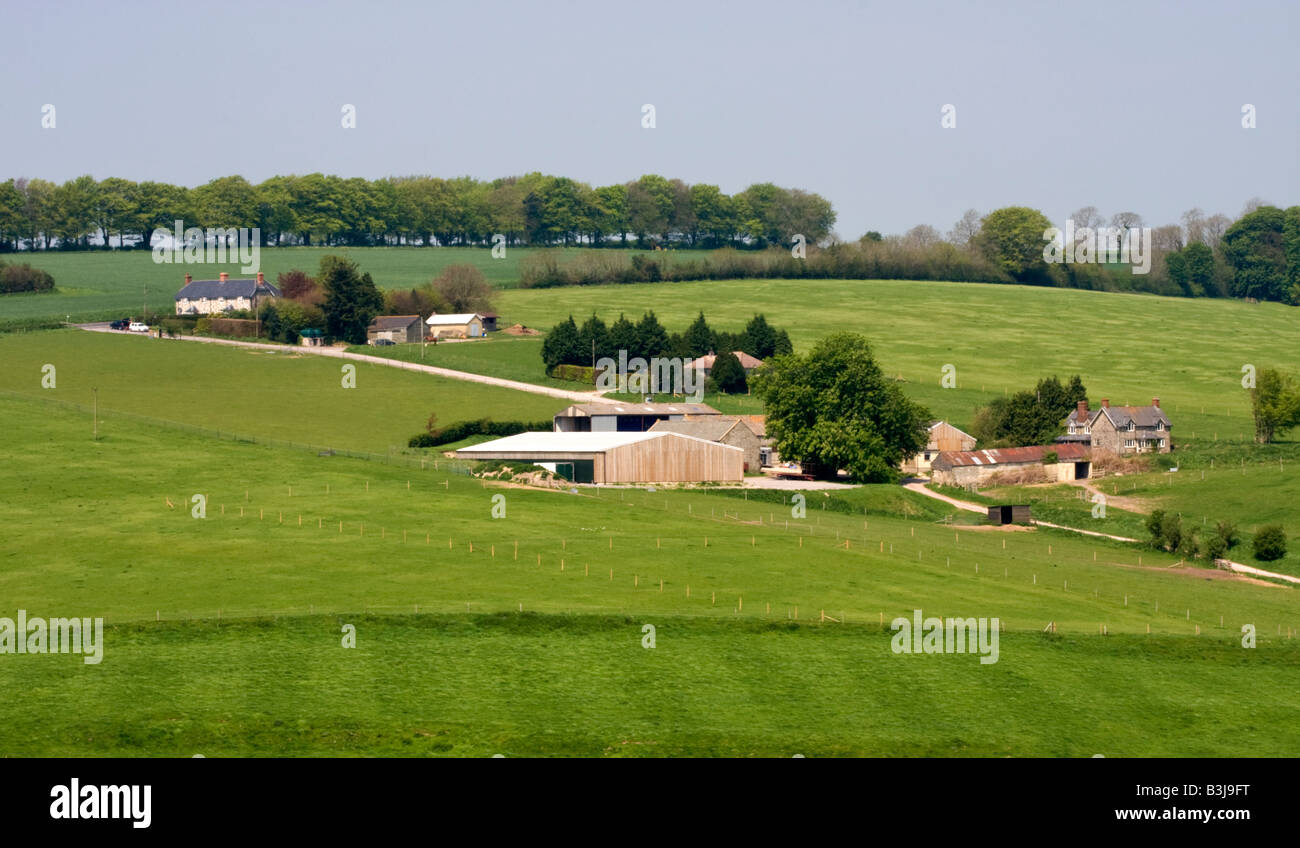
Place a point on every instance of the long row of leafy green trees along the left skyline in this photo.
(327, 210)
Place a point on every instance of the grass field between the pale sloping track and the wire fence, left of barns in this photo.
(285, 396)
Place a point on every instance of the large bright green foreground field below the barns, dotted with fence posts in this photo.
(242, 616)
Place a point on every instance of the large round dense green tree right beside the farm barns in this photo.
(835, 409)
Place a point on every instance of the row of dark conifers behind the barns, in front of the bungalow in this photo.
(567, 344)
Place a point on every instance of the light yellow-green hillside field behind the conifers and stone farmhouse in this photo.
(1128, 348)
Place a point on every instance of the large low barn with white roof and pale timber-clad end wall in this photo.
(612, 457)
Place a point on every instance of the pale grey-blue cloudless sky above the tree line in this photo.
(1121, 106)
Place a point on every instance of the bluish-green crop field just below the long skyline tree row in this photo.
(94, 285)
